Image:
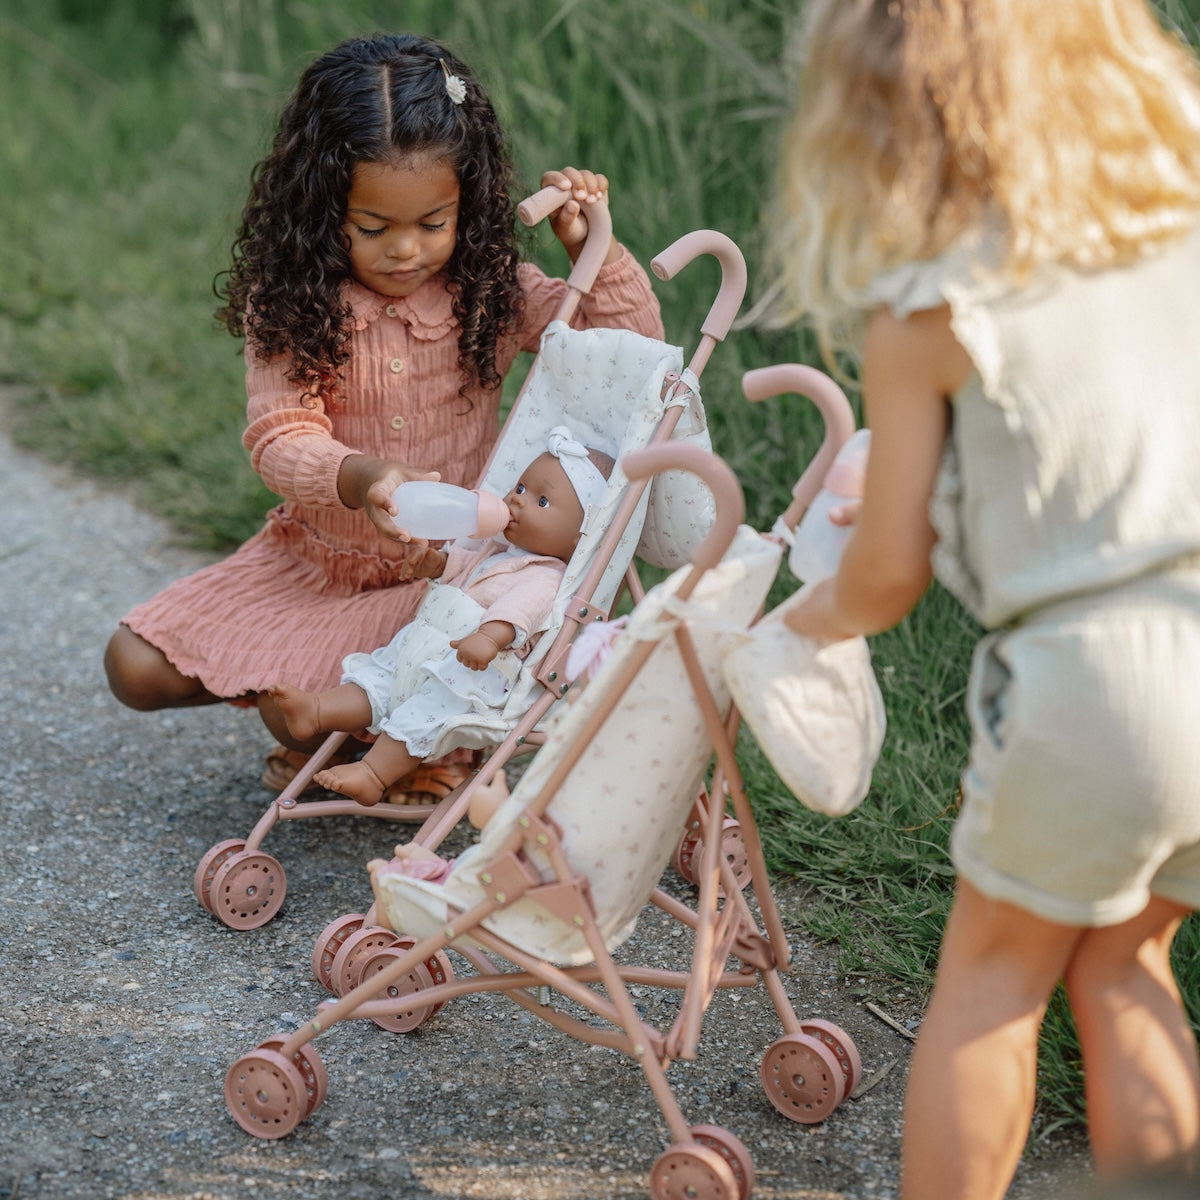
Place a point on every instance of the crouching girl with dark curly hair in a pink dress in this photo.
(377, 281)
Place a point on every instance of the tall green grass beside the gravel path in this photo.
(127, 141)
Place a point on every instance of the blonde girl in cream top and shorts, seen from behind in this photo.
(997, 206)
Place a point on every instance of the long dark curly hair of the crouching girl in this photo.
(370, 100)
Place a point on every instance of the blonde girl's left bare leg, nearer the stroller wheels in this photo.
(970, 1096)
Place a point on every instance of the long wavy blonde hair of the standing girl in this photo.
(1071, 128)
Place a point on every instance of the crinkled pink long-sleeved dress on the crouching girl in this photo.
(319, 583)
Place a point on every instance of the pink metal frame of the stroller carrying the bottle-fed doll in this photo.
(244, 886)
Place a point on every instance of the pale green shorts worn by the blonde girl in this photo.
(1082, 799)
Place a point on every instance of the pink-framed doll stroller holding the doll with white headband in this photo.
(617, 392)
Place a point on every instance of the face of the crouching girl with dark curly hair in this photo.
(401, 224)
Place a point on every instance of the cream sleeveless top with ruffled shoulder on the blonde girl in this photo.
(1073, 463)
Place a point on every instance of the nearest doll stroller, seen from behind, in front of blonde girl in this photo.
(543, 903)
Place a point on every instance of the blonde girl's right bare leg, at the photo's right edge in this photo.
(1141, 1063)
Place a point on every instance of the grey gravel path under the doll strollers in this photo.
(124, 1003)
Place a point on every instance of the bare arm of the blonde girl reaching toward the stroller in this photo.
(910, 370)
